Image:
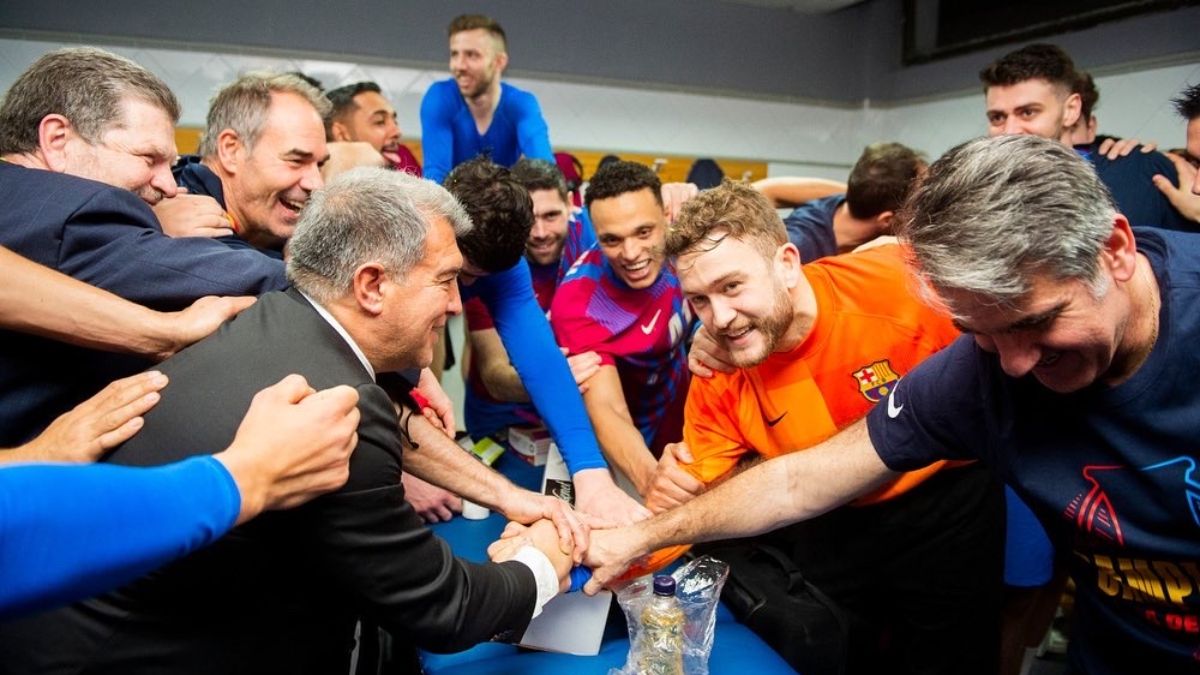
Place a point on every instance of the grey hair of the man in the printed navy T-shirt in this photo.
(993, 213)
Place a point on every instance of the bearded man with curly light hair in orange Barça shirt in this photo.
(815, 348)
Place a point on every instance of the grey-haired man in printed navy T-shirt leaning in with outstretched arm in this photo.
(1075, 381)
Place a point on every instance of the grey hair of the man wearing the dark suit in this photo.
(363, 216)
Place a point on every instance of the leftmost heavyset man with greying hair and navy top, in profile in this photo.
(87, 140)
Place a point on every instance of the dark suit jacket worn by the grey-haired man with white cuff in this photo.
(280, 594)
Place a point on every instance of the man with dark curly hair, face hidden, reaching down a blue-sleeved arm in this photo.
(496, 272)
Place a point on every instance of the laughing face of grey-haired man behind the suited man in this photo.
(269, 184)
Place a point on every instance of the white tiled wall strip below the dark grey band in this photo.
(793, 139)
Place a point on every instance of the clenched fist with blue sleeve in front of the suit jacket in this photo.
(293, 445)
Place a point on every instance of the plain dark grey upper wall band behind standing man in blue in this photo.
(701, 45)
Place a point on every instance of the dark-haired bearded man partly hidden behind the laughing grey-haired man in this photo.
(361, 114)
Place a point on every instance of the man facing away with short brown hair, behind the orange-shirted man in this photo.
(850, 218)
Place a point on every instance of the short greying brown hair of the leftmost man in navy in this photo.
(85, 85)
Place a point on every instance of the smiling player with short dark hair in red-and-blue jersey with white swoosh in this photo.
(622, 301)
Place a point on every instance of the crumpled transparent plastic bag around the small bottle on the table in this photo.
(698, 592)
